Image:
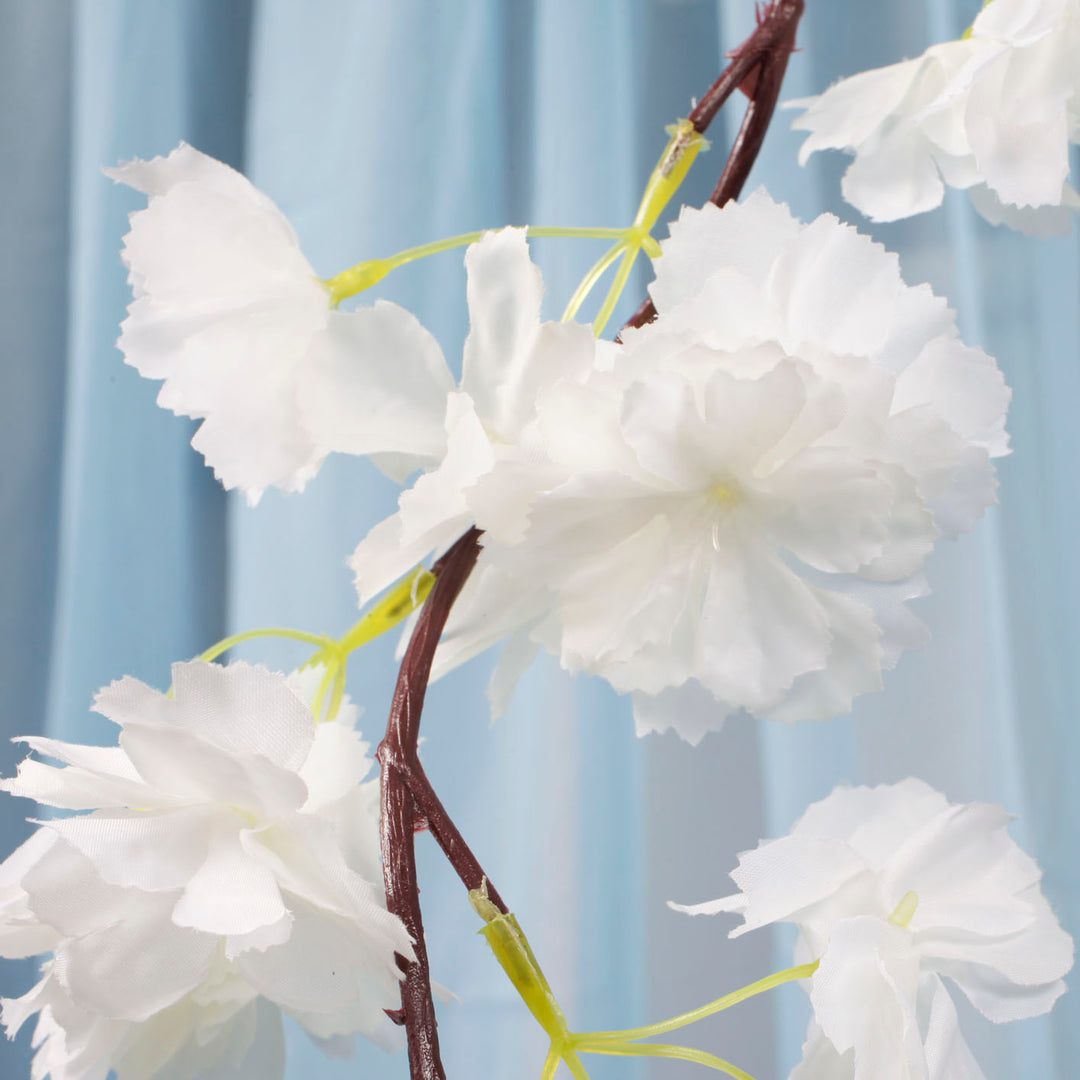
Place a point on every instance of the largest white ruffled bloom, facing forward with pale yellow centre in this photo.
(732, 509)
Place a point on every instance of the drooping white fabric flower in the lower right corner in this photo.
(894, 889)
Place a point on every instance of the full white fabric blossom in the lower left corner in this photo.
(227, 871)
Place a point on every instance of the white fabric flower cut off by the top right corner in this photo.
(994, 113)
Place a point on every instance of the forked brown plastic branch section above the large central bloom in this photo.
(760, 64)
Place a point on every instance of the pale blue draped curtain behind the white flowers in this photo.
(377, 126)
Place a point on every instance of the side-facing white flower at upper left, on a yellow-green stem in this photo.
(231, 315)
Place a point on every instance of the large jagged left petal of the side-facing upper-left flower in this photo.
(225, 308)
